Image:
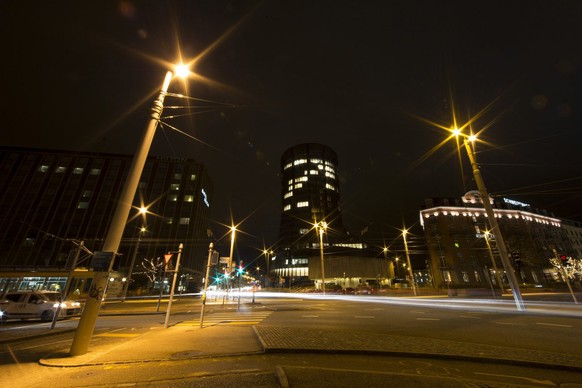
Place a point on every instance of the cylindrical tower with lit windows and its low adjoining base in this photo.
(310, 194)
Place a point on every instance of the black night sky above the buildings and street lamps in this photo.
(366, 78)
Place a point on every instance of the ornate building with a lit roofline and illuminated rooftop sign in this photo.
(463, 252)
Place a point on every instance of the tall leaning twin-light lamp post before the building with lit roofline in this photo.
(495, 227)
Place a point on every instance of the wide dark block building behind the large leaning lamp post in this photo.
(50, 198)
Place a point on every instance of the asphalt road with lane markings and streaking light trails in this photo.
(479, 322)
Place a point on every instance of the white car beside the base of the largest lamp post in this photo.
(36, 304)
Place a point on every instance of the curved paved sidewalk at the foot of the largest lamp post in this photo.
(190, 342)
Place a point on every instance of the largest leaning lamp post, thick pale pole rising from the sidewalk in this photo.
(88, 318)
